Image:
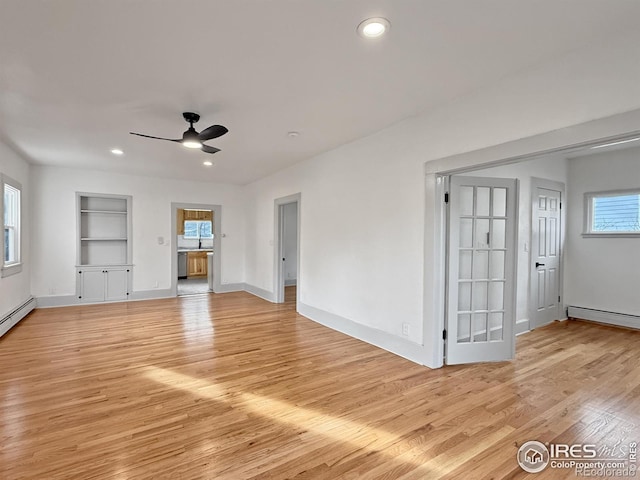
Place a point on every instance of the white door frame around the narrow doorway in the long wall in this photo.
(278, 242)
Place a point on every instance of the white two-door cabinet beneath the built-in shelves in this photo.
(103, 284)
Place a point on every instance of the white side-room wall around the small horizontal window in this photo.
(602, 273)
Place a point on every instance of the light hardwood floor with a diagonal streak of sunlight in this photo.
(233, 387)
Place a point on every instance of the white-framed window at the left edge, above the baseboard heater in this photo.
(11, 238)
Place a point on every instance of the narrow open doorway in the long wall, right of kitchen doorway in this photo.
(287, 249)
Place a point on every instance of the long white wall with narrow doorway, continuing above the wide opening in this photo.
(367, 259)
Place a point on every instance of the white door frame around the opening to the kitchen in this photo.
(217, 243)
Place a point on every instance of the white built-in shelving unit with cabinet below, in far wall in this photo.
(104, 247)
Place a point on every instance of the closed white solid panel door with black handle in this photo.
(545, 255)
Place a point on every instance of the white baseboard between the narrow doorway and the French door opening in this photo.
(391, 343)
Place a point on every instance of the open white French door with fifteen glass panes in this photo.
(481, 270)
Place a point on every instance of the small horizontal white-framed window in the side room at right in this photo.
(613, 213)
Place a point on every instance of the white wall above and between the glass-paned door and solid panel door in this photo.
(550, 167)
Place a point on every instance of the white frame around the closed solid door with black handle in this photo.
(558, 187)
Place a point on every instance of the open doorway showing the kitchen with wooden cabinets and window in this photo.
(195, 264)
